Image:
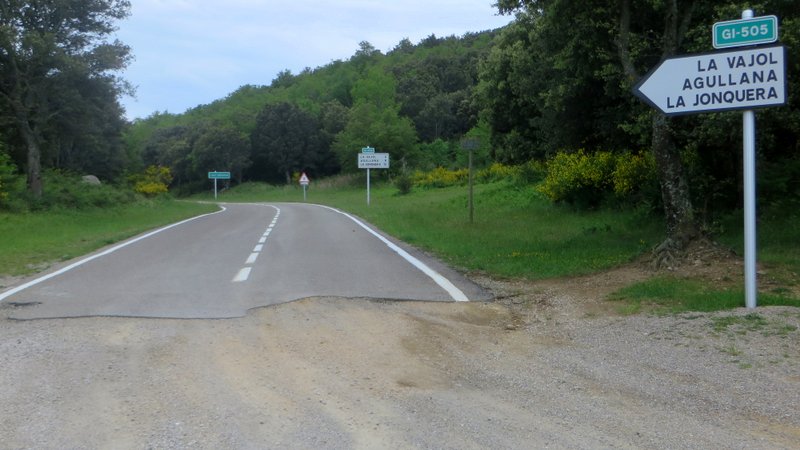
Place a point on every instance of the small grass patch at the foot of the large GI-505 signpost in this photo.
(674, 295)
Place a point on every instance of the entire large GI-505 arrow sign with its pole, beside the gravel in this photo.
(742, 80)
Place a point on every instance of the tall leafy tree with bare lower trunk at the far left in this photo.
(41, 43)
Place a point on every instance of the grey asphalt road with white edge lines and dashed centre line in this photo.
(246, 256)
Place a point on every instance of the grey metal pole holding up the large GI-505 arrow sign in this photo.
(749, 153)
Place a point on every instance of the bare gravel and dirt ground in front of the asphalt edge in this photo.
(547, 365)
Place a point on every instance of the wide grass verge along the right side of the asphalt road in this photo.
(516, 232)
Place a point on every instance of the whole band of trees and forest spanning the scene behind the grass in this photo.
(556, 81)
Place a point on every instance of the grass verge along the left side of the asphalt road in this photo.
(31, 242)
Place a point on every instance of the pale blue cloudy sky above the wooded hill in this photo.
(192, 52)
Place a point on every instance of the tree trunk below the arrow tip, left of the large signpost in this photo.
(678, 210)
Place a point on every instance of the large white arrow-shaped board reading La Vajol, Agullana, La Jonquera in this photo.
(740, 79)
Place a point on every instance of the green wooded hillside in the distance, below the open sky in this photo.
(415, 102)
